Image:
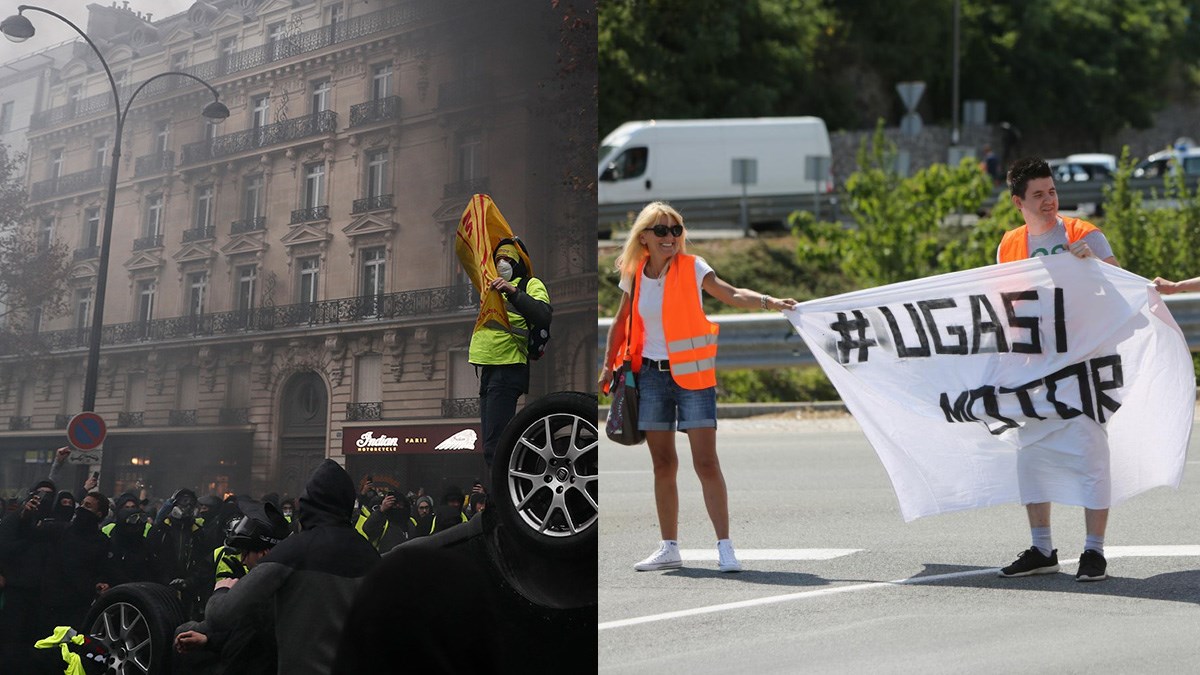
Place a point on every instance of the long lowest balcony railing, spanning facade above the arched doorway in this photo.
(364, 309)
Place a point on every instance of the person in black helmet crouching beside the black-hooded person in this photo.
(249, 648)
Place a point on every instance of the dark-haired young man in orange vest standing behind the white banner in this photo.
(1046, 232)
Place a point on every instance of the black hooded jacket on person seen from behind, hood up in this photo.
(311, 576)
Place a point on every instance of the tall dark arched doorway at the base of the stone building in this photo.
(304, 415)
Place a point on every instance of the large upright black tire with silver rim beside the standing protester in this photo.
(545, 476)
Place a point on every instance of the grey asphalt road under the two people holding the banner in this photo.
(919, 598)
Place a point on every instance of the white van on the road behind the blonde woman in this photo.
(644, 162)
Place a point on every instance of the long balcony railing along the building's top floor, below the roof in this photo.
(310, 41)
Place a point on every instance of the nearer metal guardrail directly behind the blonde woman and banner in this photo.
(769, 341)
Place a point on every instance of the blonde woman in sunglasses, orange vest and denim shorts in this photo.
(673, 347)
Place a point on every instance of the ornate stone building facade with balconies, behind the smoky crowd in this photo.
(287, 277)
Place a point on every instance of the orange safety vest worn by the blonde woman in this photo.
(692, 338)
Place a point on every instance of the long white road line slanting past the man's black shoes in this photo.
(1109, 552)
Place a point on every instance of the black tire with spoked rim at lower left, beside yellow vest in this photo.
(137, 624)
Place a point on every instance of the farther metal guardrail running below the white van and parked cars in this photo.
(772, 212)
